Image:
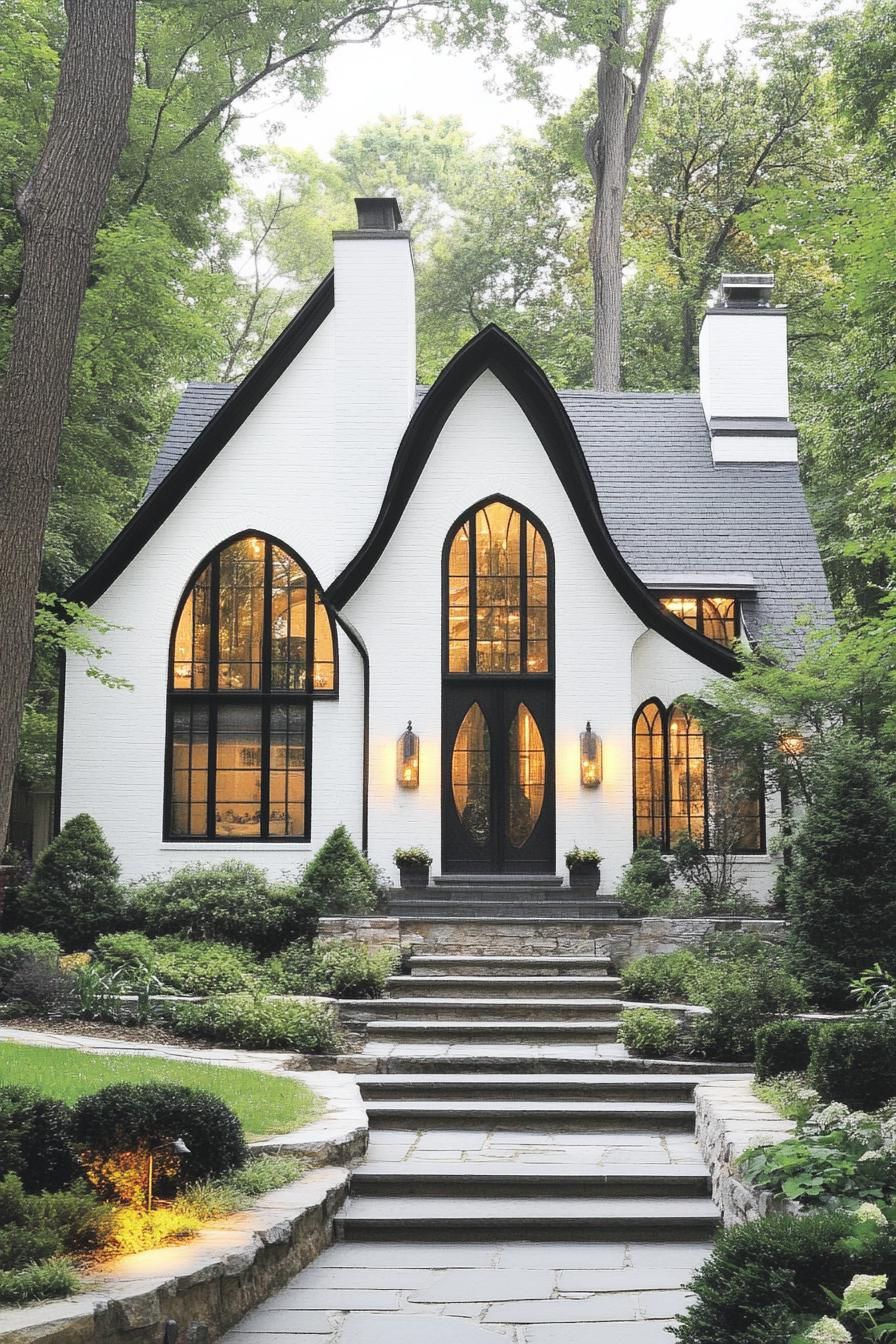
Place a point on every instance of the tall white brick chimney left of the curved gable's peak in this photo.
(375, 350)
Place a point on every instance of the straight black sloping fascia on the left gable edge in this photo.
(206, 447)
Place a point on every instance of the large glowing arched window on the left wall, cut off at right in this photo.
(253, 647)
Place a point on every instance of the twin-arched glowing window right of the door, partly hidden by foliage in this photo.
(680, 790)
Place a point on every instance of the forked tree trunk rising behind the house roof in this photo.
(608, 149)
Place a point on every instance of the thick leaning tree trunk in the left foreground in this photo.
(60, 210)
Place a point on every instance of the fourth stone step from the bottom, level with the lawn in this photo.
(530, 1088)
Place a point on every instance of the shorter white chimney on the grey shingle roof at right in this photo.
(744, 374)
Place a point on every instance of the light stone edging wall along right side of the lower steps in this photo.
(730, 1120)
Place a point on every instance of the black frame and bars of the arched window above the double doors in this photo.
(527, 519)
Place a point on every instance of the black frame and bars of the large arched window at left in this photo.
(267, 698)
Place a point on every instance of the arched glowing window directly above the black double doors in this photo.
(499, 595)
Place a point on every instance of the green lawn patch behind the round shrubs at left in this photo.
(265, 1105)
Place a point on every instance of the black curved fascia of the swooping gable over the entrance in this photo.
(496, 351)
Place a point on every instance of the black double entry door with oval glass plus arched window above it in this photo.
(498, 721)
